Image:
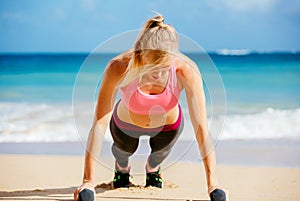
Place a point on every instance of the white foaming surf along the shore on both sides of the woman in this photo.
(23, 122)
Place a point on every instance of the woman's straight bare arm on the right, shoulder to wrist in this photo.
(191, 80)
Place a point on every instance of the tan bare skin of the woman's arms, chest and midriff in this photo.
(188, 79)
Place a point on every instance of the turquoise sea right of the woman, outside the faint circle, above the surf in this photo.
(268, 80)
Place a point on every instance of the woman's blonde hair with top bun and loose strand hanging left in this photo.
(154, 47)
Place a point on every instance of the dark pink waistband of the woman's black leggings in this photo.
(130, 127)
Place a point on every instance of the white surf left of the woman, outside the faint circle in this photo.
(21, 122)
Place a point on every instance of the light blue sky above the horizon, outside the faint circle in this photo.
(81, 25)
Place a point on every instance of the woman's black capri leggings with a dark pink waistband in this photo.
(126, 139)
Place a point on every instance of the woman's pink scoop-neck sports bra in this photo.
(140, 103)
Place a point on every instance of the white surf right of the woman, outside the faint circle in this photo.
(268, 124)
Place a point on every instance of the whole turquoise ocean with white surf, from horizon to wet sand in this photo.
(50, 97)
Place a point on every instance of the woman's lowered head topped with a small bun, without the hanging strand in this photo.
(156, 43)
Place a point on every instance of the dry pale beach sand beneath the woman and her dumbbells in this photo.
(46, 177)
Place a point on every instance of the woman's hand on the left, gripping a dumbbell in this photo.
(85, 192)
